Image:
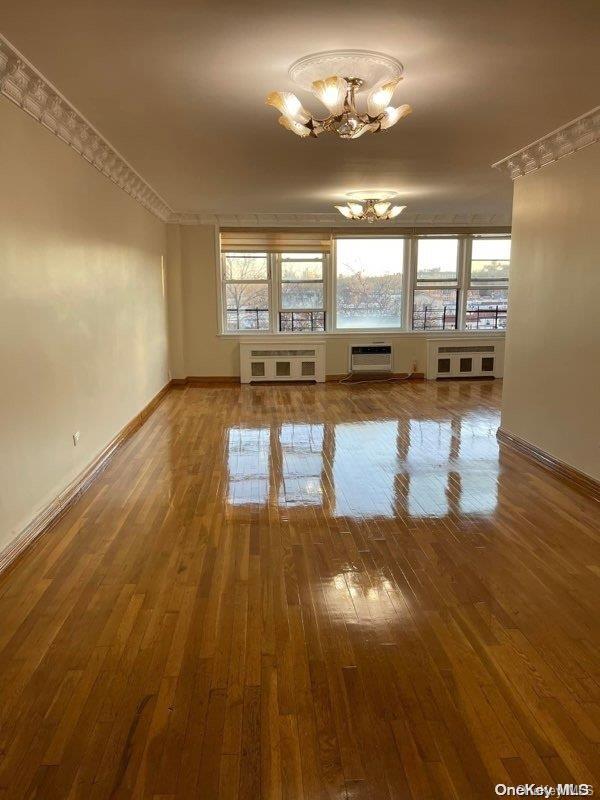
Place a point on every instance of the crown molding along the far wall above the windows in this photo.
(328, 220)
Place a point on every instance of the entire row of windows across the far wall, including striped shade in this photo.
(290, 282)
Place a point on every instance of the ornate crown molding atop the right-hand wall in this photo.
(575, 135)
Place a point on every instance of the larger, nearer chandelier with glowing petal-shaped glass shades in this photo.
(345, 120)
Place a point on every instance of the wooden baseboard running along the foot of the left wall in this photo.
(50, 515)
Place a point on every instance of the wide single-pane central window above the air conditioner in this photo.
(369, 283)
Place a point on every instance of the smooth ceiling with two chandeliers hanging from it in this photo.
(178, 88)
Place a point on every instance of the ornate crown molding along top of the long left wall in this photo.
(25, 86)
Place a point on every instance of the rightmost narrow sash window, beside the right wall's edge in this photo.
(487, 295)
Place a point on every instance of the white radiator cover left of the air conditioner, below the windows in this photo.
(262, 361)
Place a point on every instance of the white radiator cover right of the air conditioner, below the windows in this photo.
(465, 358)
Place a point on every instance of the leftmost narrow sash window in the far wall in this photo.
(246, 284)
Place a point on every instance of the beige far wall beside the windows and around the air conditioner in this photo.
(197, 350)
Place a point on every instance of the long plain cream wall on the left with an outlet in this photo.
(83, 343)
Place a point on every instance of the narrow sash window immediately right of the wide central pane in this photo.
(435, 297)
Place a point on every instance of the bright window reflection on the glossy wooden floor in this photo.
(429, 467)
